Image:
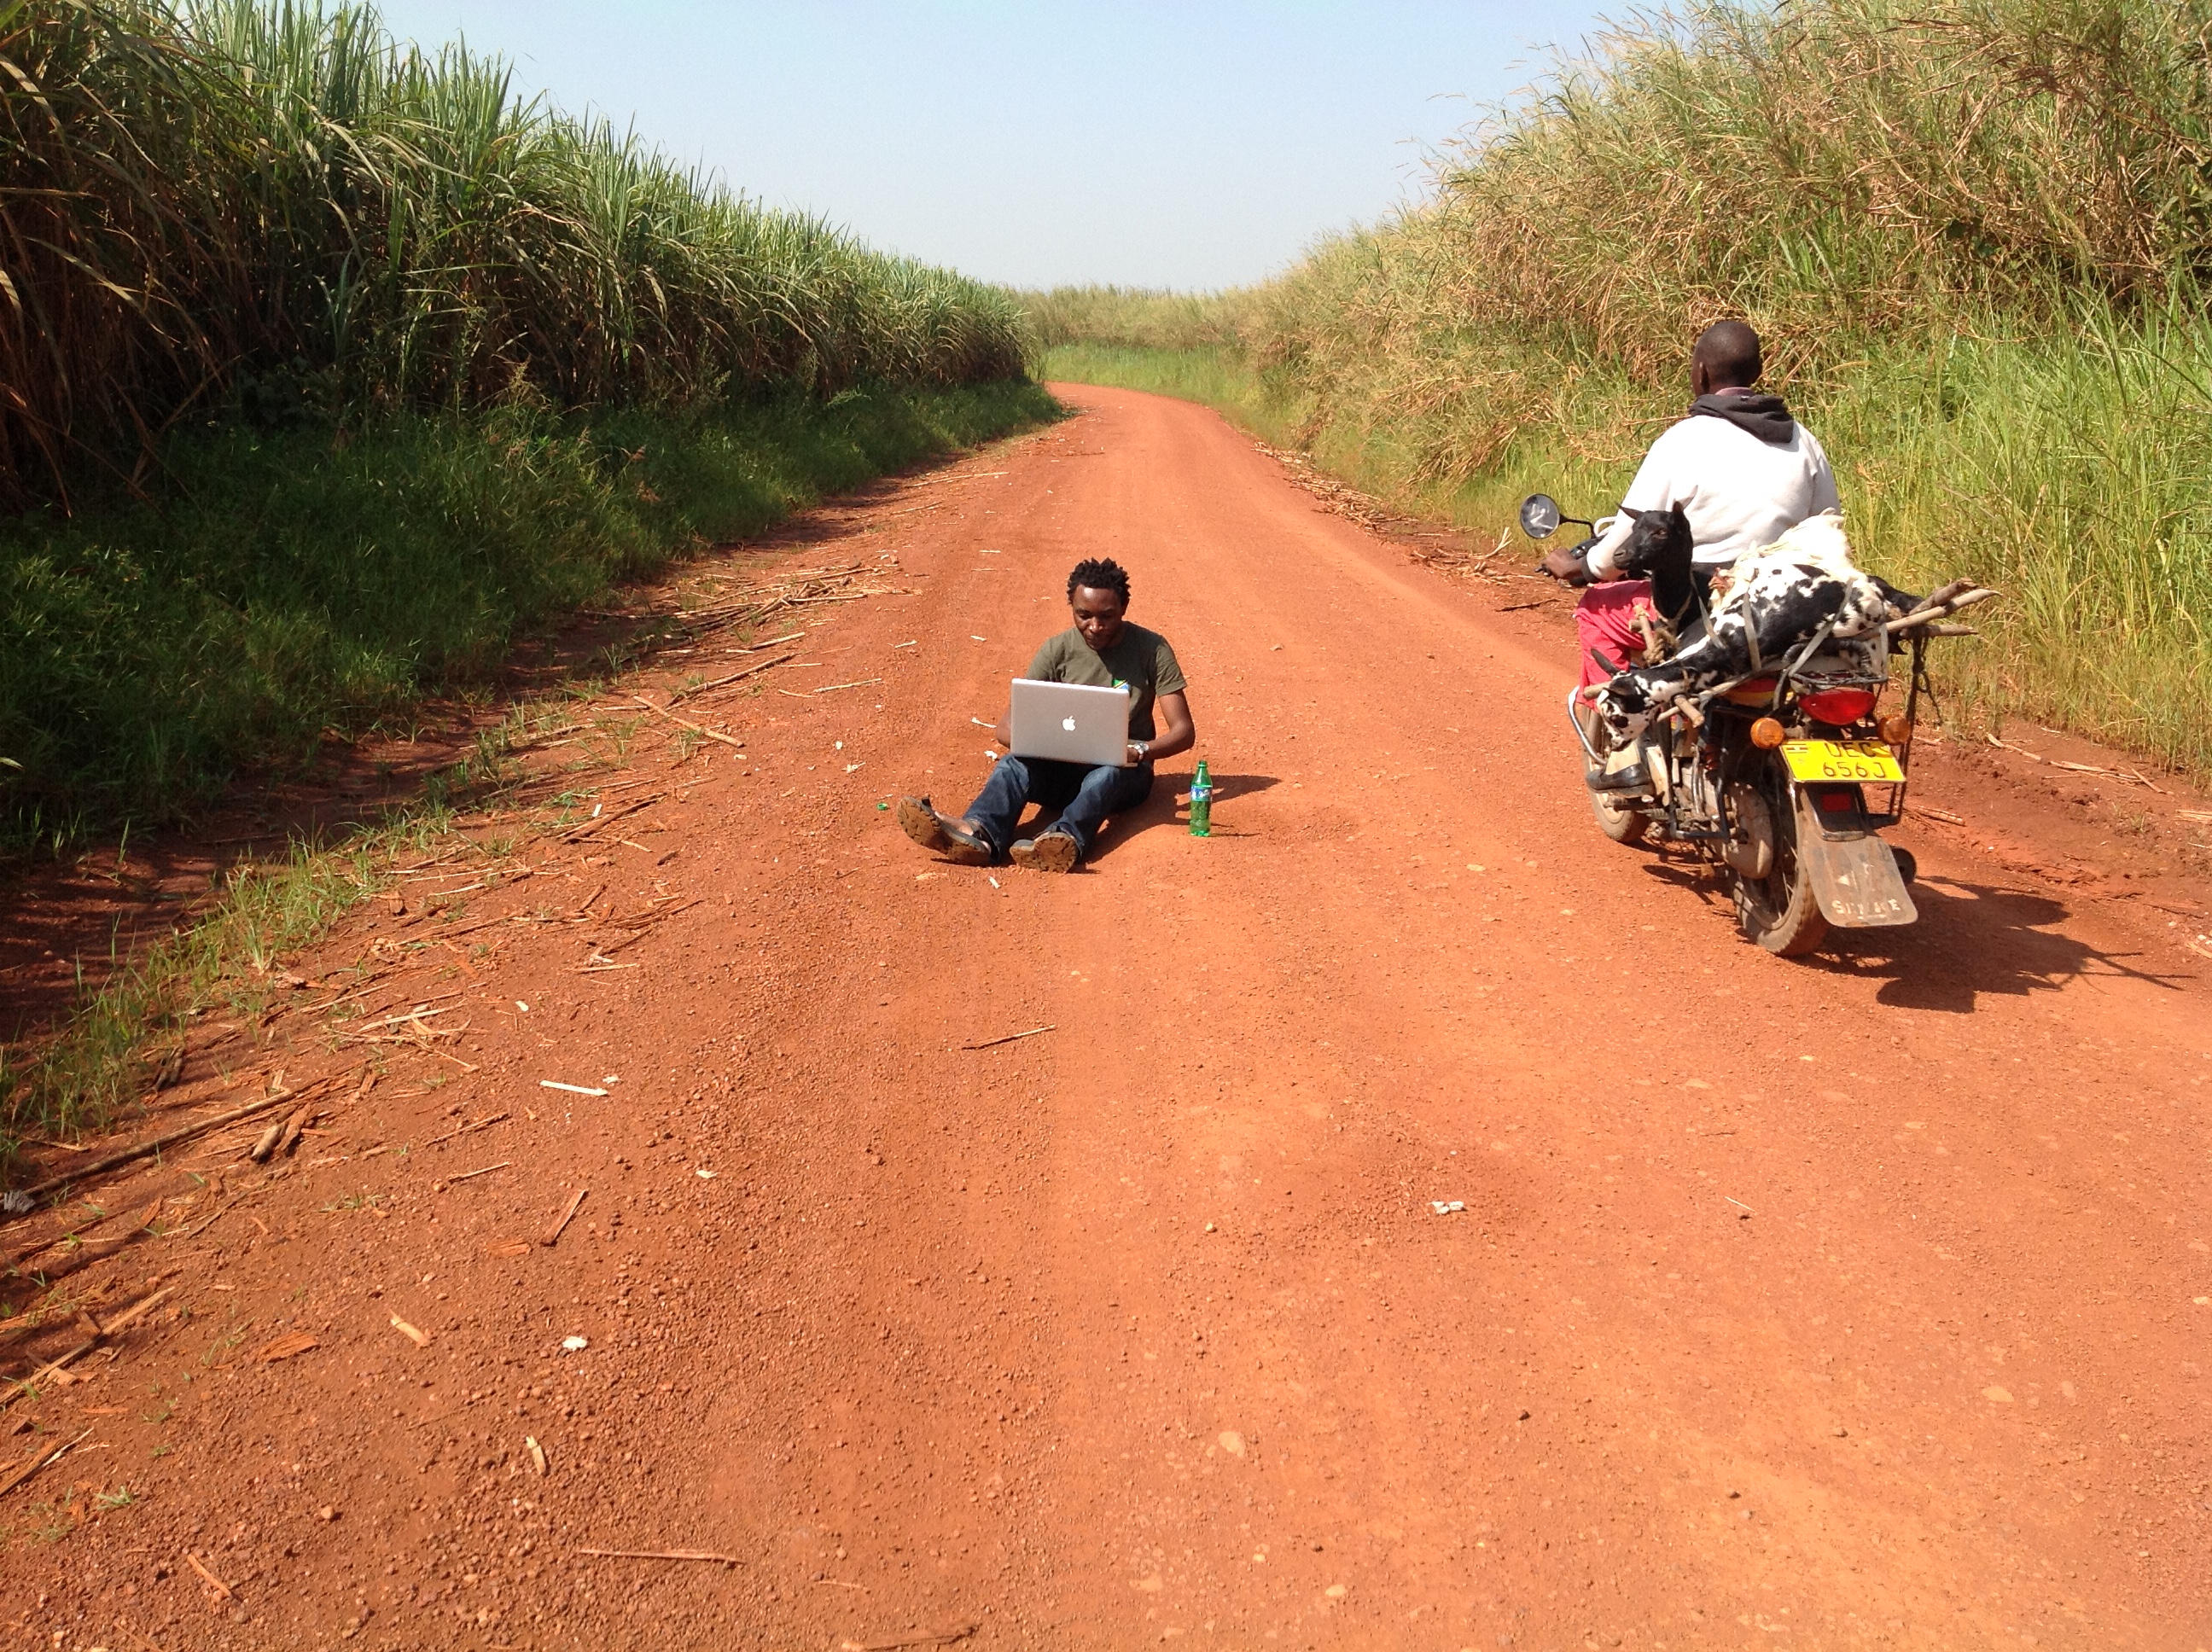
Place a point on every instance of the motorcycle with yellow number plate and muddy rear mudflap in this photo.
(1782, 777)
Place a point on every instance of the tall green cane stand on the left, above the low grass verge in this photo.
(282, 202)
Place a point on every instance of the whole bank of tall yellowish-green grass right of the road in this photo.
(1974, 233)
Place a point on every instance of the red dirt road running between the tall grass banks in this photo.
(1793, 1306)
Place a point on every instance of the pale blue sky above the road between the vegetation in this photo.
(1151, 145)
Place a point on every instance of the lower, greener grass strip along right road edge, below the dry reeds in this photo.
(2065, 470)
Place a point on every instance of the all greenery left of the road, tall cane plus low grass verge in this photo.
(331, 366)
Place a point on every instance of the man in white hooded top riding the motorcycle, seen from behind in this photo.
(1742, 472)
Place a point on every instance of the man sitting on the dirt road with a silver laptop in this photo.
(1103, 651)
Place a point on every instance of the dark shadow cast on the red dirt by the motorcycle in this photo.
(1974, 939)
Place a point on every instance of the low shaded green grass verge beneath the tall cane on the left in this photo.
(291, 585)
